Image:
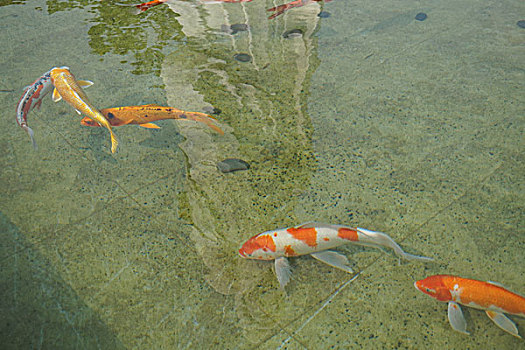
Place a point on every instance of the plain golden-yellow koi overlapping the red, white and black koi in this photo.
(70, 89)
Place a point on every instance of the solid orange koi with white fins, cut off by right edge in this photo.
(493, 298)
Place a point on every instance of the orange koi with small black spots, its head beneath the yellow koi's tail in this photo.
(144, 115)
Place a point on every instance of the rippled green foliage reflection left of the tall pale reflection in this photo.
(117, 30)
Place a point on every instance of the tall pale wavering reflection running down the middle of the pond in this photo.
(263, 111)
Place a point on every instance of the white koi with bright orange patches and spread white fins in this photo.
(315, 239)
